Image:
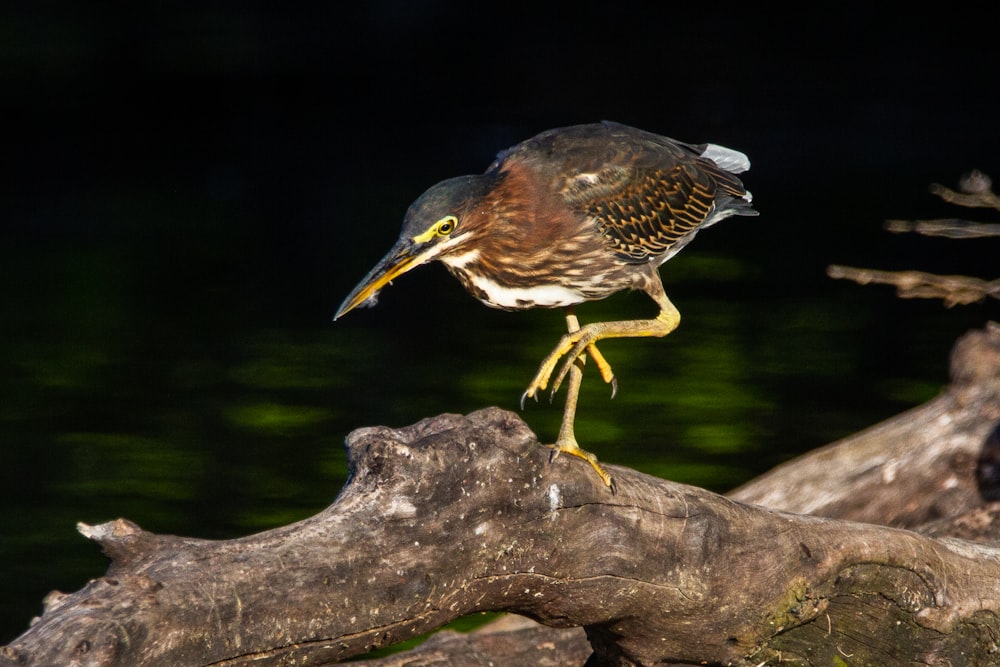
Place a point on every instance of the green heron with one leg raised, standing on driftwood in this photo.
(572, 215)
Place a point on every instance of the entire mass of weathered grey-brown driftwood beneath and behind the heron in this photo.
(462, 514)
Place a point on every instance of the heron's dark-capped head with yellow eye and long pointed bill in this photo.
(437, 223)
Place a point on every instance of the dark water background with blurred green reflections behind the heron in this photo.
(191, 189)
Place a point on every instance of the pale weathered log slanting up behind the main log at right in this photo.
(918, 467)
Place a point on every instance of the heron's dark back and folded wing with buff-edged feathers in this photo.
(647, 194)
